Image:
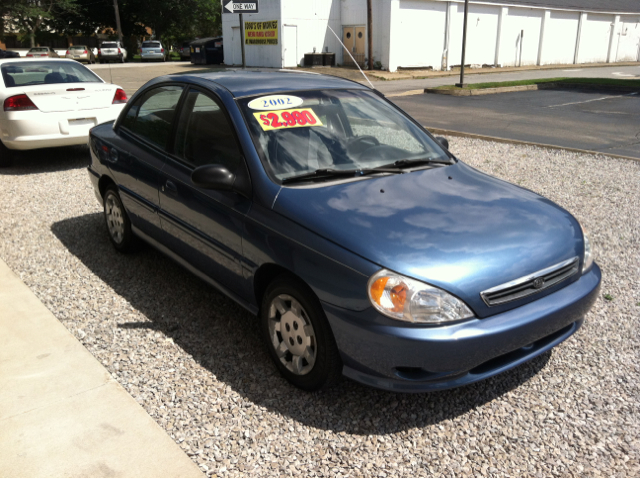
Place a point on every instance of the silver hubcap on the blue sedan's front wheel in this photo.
(292, 335)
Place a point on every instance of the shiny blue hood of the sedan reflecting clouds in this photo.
(453, 227)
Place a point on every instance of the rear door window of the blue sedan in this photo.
(152, 115)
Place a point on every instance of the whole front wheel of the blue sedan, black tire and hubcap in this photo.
(291, 329)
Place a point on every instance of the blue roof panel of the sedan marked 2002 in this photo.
(248, 83)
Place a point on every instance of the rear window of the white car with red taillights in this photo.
(18, 74)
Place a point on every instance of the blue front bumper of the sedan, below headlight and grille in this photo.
(408, 358)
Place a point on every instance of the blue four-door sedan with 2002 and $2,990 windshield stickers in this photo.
(364, 247)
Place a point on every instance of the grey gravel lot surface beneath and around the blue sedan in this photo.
(194, 361)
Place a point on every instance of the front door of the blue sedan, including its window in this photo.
(205, 225)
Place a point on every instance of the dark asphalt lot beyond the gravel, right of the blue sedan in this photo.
(590, 120)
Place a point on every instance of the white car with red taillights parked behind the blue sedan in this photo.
(52, 102)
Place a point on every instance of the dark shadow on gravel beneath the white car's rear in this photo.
(47, 160)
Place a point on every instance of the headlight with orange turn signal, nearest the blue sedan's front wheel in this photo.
(409, 300)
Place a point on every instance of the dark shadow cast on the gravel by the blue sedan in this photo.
(223, 338)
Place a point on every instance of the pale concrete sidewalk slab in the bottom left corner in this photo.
(61, 413)
